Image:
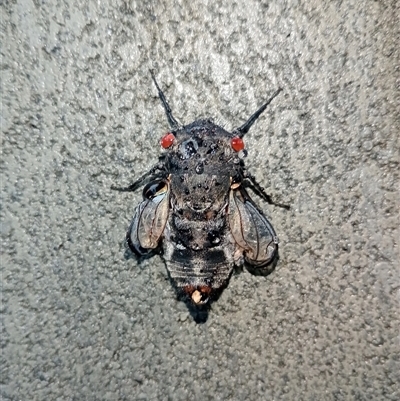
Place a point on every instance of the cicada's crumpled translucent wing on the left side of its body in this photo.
(150, 218)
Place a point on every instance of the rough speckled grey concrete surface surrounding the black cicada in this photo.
(79, 113)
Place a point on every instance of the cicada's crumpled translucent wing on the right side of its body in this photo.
(251, 229)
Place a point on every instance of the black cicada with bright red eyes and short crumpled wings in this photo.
(196, 210)
